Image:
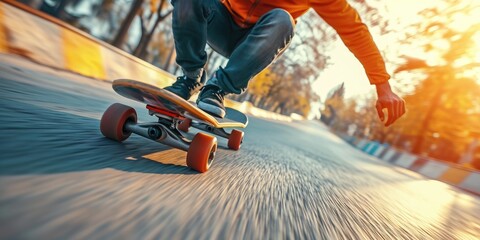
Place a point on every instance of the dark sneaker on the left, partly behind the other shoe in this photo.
(186, 87)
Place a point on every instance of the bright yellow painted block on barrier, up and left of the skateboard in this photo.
(82, 55)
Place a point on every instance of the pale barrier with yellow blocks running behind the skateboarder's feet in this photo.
(46, 40)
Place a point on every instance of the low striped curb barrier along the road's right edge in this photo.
(453, 174)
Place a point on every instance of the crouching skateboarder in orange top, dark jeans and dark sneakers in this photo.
(252, 34)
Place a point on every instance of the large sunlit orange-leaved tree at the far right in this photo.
(446, 96)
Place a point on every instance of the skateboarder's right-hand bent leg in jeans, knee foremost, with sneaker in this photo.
(261, 45)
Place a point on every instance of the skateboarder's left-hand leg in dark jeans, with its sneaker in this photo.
(191, 19)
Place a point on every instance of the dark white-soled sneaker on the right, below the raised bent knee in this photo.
(211, 100)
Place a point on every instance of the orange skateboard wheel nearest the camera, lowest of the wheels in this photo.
(201, 153)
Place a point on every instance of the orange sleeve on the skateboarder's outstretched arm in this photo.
(355, 35)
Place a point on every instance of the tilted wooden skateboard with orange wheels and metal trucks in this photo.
(175, 116)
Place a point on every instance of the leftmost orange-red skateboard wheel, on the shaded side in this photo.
(113, 121)
